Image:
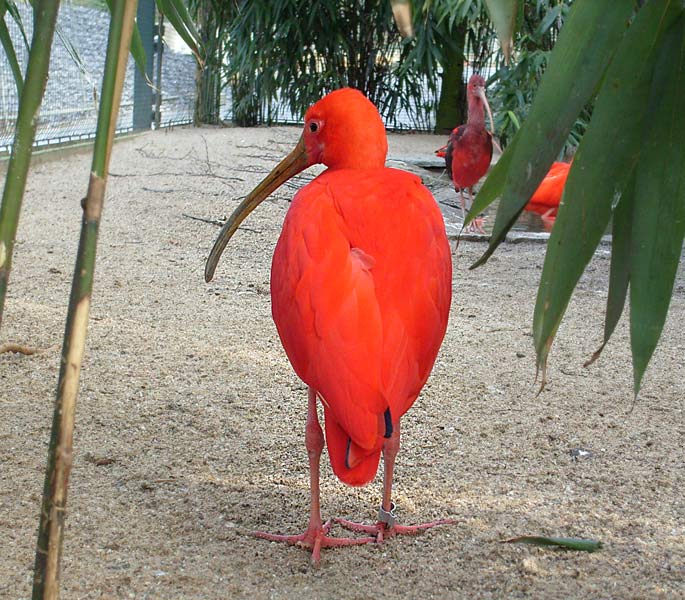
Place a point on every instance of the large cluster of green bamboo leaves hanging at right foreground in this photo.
(630, 164)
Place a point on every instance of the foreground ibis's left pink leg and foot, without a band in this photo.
(316, 534)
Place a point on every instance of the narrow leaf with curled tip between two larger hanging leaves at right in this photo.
(619, 275)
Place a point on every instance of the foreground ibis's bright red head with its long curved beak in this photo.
(343, 130)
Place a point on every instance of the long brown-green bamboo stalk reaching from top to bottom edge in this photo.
(60, 452)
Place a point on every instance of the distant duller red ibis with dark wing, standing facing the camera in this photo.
(469, 150)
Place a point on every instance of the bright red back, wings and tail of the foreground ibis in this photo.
(361, 289)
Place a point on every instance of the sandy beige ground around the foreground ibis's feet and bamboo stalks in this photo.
(190, 421)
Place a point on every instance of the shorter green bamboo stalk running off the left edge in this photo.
(45, 17)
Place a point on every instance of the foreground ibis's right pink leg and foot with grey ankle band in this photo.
(386, 526)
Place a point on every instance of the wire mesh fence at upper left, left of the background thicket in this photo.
(70, 105)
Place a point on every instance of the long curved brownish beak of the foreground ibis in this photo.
(290, 166)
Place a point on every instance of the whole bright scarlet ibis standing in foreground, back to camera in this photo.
(360, 289)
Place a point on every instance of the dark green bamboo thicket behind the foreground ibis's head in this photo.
(295, 52)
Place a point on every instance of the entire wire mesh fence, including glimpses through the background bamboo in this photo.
(69, 109)
